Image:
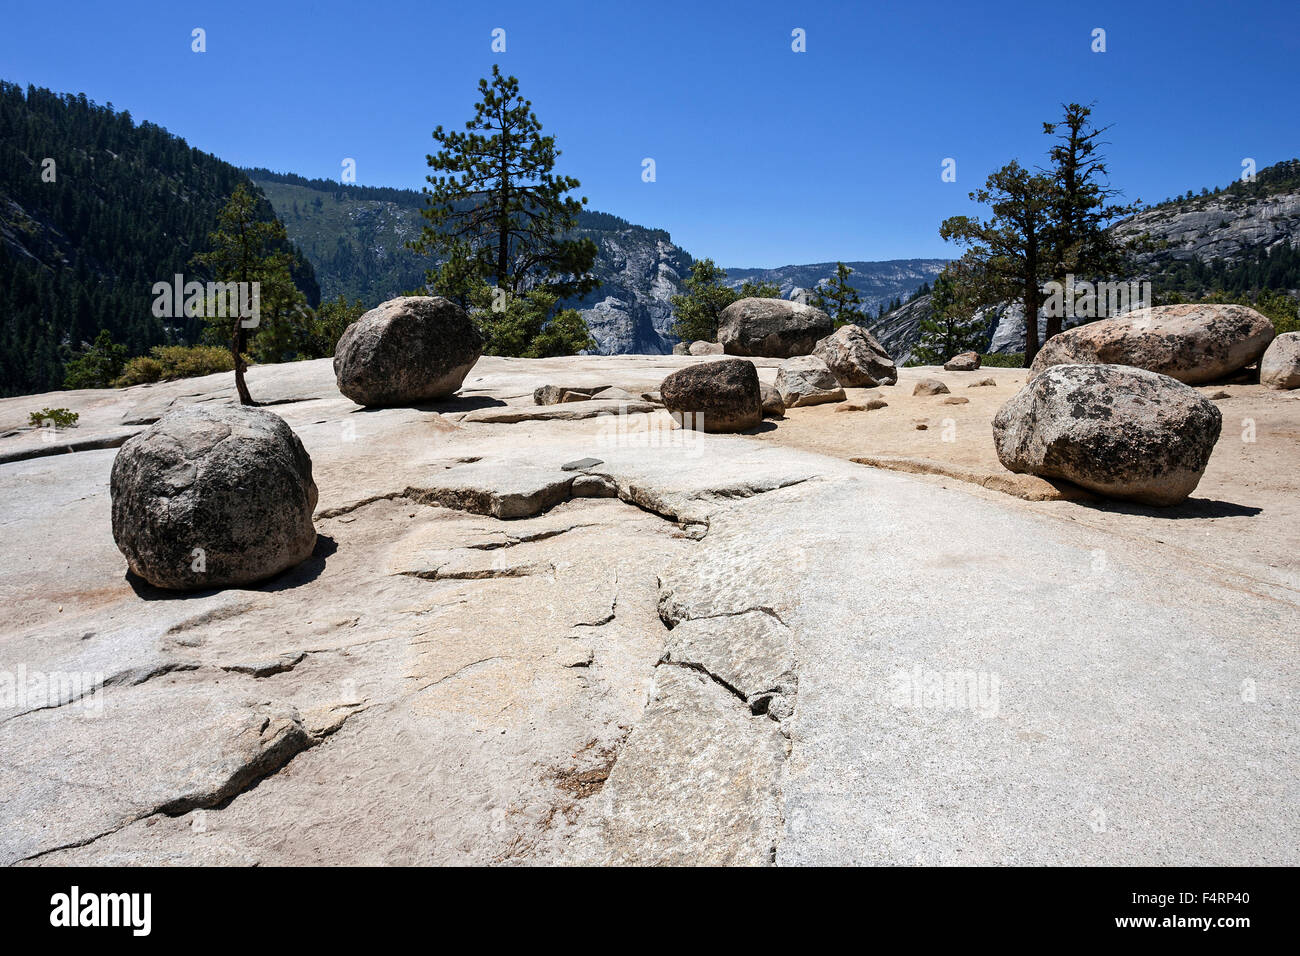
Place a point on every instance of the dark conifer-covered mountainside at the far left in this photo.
(85, 239)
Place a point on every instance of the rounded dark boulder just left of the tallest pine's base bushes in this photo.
(409, 351)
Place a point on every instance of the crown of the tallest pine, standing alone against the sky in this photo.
(497, 214)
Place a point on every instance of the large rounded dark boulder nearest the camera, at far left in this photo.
(213, 498)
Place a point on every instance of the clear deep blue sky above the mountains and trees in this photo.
(764, 157)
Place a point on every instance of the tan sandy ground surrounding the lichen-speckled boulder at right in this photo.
(1243, 517)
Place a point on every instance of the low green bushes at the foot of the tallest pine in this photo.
(527, 326)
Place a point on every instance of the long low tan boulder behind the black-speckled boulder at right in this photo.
(1194, 344)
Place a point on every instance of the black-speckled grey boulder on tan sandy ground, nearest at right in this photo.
(1119, 431)
